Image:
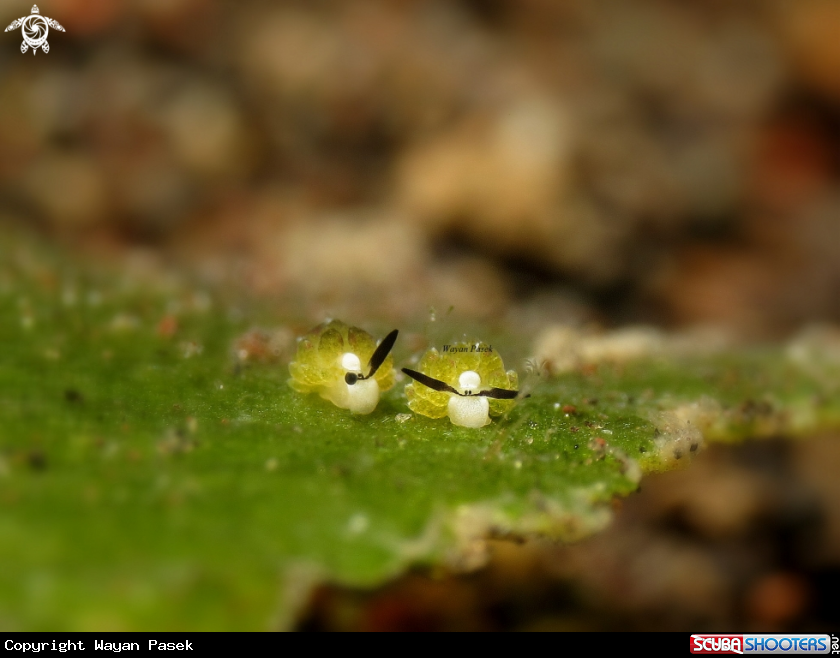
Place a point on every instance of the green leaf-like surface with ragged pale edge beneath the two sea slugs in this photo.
(154, 477)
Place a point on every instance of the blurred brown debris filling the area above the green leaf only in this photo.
(263, 139)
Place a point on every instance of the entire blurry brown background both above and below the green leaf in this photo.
(672, 162)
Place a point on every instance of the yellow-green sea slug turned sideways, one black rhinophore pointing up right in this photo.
(329, 361)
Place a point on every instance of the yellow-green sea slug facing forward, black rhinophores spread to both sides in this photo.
(466, 381)
